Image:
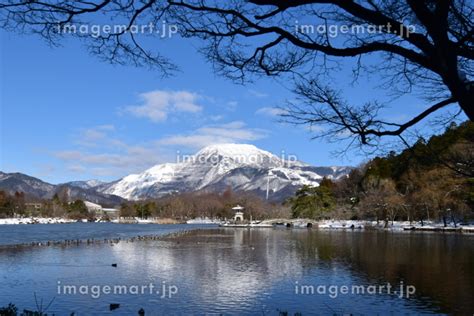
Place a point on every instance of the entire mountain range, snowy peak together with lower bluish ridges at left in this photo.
(241, 167)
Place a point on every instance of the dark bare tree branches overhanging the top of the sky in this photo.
(423, 46)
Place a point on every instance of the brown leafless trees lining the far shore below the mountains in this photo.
(180, 207)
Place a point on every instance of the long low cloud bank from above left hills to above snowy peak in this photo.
(99, 152)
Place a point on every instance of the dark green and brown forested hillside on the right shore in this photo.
(432, 180)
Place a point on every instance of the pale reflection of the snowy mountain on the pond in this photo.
(225, 268)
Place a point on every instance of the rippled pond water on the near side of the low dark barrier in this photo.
(242, 271)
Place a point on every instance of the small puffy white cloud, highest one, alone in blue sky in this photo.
(157, 105)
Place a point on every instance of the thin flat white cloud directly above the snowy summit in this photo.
(233, 132)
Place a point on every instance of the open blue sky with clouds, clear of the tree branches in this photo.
(65, 115)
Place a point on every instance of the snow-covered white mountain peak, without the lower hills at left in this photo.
(214, 168)
